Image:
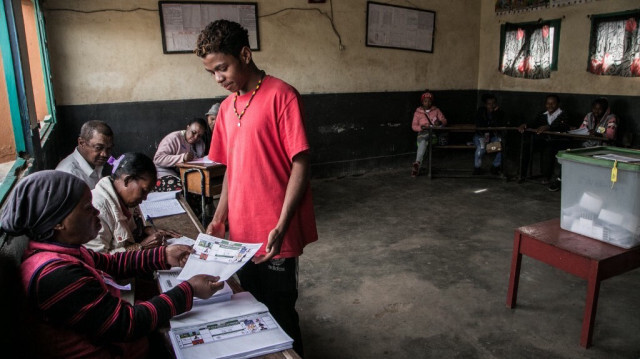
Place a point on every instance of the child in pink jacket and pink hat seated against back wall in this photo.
(424, 117)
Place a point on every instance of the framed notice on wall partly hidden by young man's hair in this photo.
(181, 22)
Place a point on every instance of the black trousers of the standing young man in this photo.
(275, 283)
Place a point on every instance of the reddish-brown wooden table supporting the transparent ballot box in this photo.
(581, 256)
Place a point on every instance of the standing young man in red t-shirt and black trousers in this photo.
(266, 198)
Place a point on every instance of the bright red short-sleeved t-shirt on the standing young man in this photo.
(258, 155)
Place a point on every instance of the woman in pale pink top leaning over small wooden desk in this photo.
(178, 147)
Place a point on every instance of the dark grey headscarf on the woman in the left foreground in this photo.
(39, 202)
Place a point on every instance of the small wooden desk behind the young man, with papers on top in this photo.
(203, 179)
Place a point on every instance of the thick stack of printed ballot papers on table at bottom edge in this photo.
(239, 328)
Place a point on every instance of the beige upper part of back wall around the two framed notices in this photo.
(108, 57)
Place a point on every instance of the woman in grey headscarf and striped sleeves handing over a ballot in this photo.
(73, 303)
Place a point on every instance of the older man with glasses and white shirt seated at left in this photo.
(94, 148)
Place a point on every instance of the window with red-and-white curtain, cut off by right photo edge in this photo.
(614, 48)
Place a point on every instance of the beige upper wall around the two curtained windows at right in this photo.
(572, 75)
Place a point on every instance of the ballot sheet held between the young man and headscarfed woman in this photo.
(217, 257)
